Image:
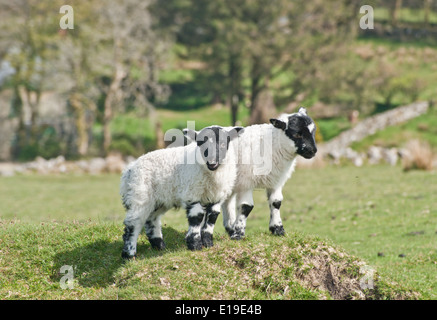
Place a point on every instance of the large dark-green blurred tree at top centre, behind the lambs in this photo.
(253, 45)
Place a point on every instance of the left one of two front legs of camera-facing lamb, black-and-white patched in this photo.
(195, 215)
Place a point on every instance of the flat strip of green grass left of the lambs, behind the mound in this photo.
(45, 198)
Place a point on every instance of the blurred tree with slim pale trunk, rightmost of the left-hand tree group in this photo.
(130, 56)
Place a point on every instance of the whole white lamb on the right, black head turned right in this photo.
(288, 136)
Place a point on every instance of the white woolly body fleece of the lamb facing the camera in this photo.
(163, 178)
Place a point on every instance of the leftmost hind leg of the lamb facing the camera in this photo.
(133, 222)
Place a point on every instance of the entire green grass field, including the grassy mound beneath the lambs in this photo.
(50, 221)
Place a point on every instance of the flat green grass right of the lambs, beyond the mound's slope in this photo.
(369, 210)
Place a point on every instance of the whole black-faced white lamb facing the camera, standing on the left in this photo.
(197, 177)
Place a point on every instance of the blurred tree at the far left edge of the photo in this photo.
(27, 36)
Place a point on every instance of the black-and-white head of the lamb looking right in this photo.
(301, 129)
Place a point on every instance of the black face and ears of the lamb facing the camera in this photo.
(214, 143)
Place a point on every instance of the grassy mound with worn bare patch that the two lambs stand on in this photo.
(259, 267)
